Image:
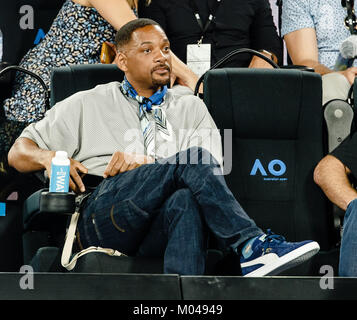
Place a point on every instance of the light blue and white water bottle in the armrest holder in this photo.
(60, 166)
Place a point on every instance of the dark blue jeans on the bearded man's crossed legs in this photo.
(166, 210)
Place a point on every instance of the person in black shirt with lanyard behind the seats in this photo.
(235, 24)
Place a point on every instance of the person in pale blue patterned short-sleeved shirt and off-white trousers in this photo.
(313, 32)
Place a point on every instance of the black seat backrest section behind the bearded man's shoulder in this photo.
(68, 80)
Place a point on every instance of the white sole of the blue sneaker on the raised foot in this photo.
(287, 261)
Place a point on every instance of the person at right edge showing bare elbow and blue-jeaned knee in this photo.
(334, 174)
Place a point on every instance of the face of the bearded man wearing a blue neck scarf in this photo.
(146, 59)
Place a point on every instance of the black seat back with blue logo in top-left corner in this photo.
(21, 22)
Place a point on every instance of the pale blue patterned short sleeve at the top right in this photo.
(296, 15)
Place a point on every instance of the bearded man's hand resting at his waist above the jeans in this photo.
(121, 162)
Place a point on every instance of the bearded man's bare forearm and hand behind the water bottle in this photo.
(26, 156)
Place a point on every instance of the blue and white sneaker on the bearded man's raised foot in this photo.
(269, 254)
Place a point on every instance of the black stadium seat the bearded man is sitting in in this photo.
(66, 81)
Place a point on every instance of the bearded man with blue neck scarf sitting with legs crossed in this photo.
(162, 199)
